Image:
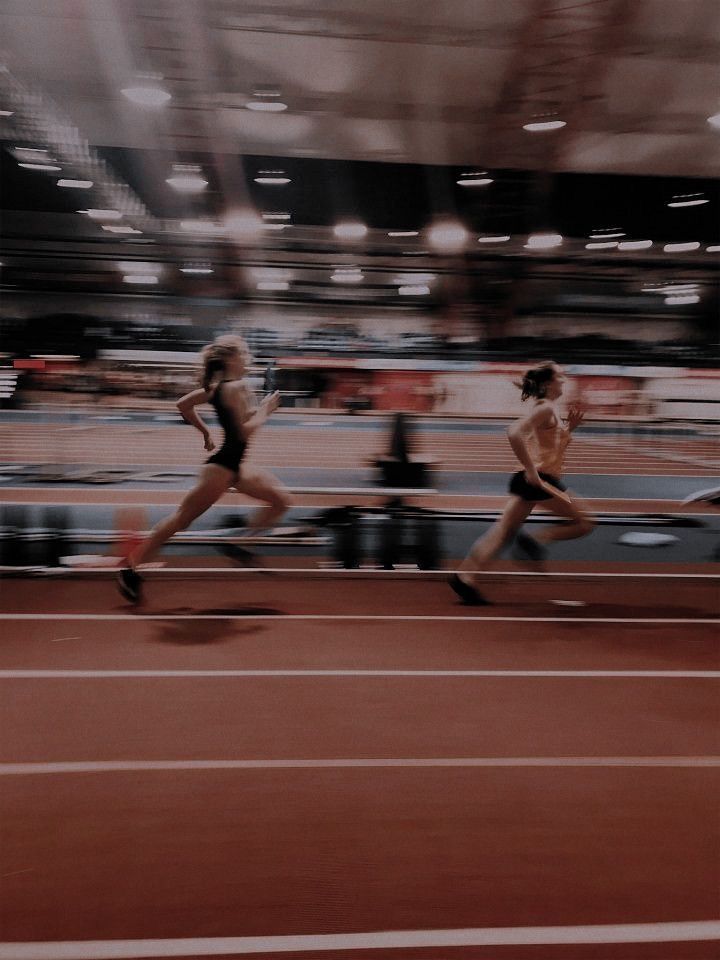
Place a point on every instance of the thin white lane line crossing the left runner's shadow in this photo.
(347, 616)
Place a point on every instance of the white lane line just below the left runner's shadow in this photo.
(184, 674)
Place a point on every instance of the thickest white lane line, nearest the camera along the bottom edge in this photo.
(678, 932)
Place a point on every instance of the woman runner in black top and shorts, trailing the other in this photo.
(225, 362)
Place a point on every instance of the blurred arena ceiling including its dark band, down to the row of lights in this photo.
(386, 105)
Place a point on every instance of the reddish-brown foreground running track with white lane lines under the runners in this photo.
(347, 768)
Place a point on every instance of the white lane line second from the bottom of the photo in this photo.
(124, 766)
